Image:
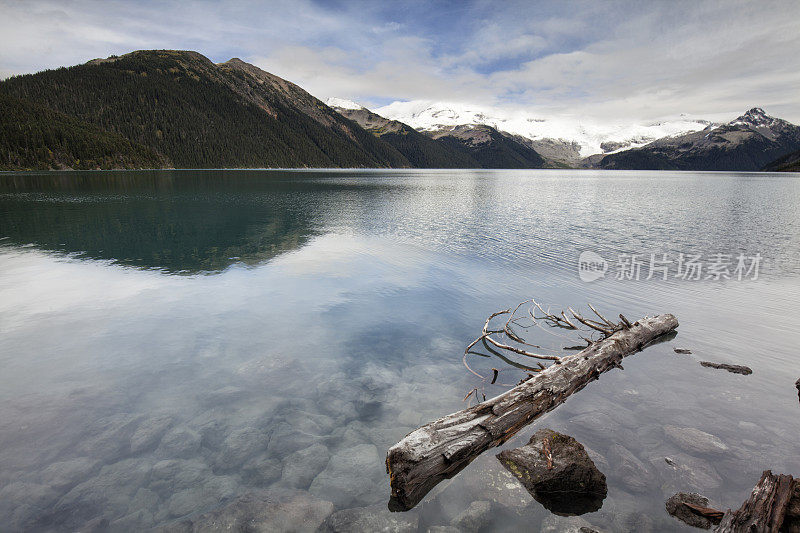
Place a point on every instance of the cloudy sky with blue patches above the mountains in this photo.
(632, 60)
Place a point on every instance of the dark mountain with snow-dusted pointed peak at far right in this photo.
(747, 143)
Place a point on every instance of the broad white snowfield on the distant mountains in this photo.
(590, 137)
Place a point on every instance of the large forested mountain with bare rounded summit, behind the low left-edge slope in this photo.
(191, 113)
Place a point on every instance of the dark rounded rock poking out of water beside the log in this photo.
(557, 472)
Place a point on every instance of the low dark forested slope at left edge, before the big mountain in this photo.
(34, 137)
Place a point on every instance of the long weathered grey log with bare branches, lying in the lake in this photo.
(442, 448)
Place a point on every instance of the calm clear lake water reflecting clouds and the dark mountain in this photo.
(171, 340)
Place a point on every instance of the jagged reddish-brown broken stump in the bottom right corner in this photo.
(769, 509)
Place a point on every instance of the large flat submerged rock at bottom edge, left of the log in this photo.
(260, 512)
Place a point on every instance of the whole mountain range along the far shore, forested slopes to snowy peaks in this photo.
(171, 108)
